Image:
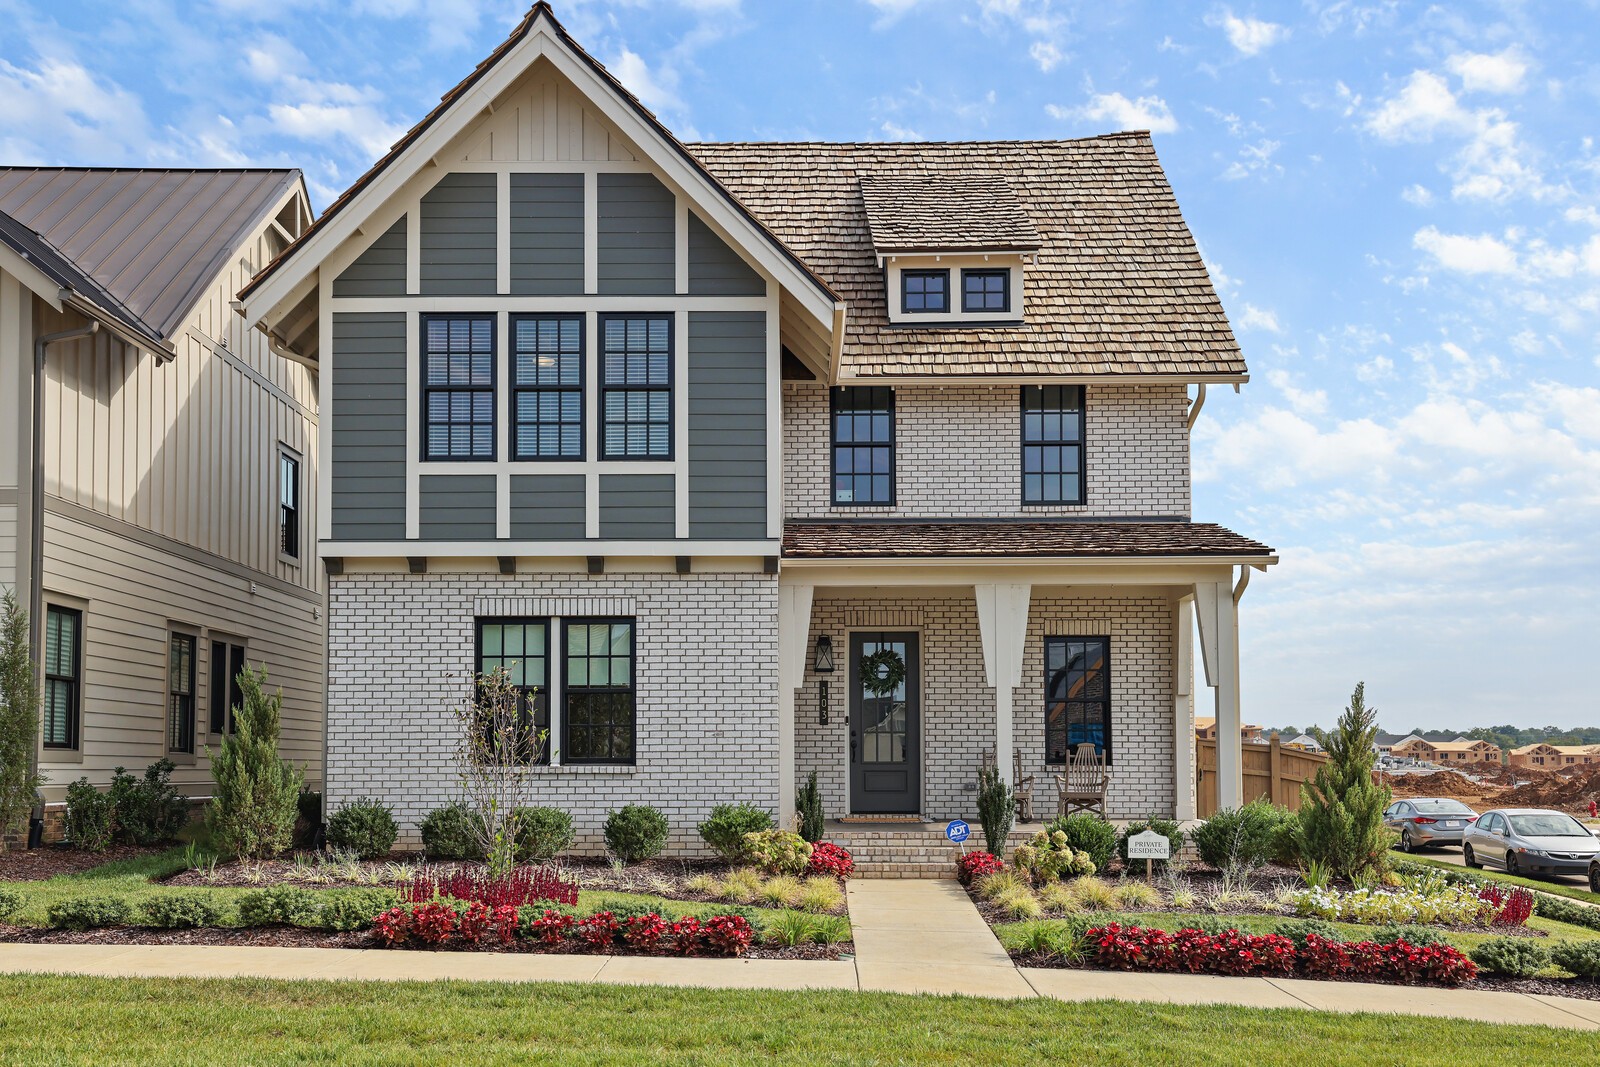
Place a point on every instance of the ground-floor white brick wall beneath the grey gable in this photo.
(402, 647)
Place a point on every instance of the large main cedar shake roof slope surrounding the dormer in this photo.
(1118, 286)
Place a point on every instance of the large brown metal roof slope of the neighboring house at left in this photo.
(154, 239)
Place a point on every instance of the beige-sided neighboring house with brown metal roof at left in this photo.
(178, 466)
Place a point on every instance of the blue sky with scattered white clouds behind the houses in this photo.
(1401, 207)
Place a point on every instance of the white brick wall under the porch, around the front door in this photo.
(959, 709)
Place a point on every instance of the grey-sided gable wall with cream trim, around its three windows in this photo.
(543, 209)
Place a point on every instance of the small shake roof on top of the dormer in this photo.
(911, 214)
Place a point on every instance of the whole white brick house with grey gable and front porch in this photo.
(638, 422)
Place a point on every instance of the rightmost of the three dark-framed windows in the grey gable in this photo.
(636, 386)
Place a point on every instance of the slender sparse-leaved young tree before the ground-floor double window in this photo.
(497, 748)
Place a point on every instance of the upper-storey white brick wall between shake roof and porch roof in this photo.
(958, 454)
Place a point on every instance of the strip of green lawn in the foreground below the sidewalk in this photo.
(255, 1021)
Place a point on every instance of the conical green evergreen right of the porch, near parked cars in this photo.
(1342, 820)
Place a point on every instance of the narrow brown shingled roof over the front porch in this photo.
(978, 540)
